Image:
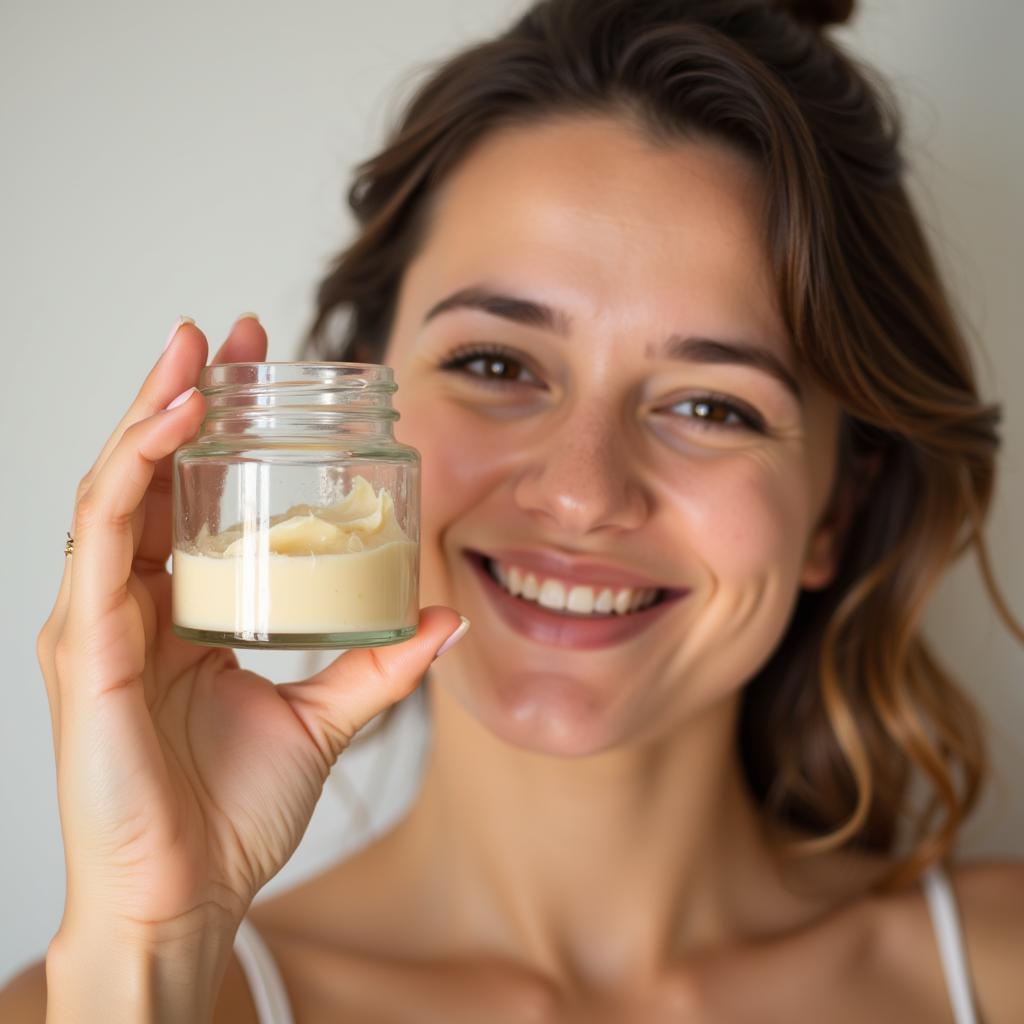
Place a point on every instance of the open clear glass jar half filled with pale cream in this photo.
(296, 513)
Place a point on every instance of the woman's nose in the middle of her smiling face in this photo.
(582, 478)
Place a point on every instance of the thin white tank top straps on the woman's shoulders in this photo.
(273, 1007)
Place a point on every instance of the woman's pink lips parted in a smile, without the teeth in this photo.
(565, 630)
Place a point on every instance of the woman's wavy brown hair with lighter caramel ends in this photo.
(852, 704)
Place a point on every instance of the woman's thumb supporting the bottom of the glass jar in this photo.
(342, 699)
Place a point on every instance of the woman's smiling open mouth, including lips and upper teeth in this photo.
(566, 613)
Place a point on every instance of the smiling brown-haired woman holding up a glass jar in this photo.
(669, 339)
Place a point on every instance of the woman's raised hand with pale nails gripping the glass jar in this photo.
(185, 783)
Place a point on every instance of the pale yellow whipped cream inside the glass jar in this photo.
(345, 569)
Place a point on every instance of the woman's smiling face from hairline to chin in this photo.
(592, 364)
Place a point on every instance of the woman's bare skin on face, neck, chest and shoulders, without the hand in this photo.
(583, 847)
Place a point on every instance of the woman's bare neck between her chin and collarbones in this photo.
(599, 871)
